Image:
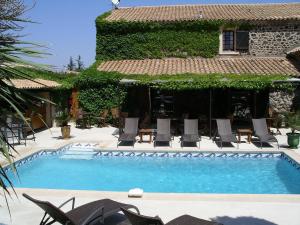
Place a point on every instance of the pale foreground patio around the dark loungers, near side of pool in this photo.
(227, 209)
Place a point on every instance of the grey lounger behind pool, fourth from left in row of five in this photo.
(225, 132)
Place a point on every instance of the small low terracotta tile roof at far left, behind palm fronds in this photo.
(36, 84)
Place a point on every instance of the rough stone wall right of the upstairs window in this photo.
(273, 40)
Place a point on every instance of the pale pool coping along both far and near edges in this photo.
(294, 157)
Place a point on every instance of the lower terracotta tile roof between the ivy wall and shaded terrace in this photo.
(224, 65)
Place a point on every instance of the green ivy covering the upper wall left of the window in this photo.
(158, 45)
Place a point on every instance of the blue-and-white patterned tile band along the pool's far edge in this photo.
(160, 153)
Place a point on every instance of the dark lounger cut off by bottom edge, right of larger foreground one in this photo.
(136, 219)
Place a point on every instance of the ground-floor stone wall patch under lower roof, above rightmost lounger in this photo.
(282, 102)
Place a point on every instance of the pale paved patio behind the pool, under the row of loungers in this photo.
(107, 138)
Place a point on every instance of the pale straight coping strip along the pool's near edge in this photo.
(278, 198)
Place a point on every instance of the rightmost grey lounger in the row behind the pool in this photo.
(261, 131)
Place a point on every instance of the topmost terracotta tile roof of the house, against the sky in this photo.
(281, 11)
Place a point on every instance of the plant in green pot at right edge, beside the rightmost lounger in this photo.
(293, 120)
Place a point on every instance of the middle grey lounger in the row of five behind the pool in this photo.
(163, 132)
